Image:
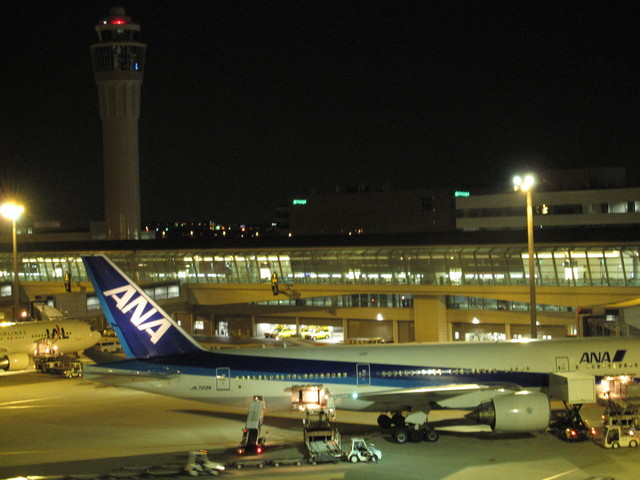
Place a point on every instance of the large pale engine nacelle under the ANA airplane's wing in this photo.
(515, 413)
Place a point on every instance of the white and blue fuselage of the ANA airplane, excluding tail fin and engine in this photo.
(354, 373)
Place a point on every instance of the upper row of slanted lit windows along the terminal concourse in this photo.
(554, 266)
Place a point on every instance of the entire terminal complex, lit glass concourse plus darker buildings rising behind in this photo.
(467, 279)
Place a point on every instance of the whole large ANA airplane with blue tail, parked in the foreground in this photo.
(505, 382)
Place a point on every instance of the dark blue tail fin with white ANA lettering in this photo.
(144, 329)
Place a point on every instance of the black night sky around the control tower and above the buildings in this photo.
(246, 104)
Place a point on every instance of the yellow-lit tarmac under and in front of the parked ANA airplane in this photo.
(75, 428)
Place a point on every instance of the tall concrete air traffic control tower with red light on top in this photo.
(118, 65)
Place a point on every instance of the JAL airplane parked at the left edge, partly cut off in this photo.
(21, 341)
